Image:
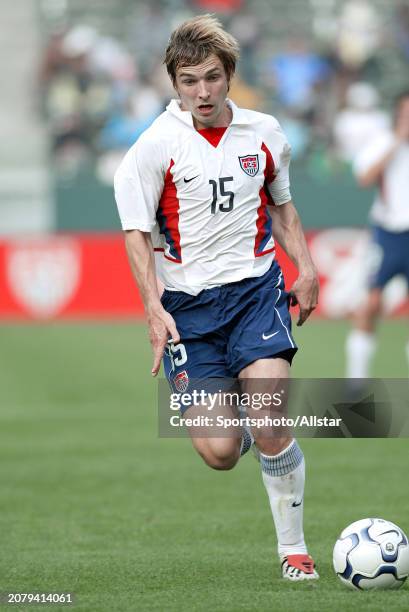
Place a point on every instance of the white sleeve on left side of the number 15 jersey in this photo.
(138, 185)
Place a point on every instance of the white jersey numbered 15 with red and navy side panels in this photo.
(203, 196)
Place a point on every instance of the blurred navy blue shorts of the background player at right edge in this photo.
(393, 256)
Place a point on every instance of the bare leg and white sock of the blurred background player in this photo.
(361, 341)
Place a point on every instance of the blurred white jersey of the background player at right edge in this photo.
(390, 209)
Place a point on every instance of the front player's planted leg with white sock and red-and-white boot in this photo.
(283, 473)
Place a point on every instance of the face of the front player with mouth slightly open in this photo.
(202, 90)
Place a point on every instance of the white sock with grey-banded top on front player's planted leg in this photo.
(284, 477)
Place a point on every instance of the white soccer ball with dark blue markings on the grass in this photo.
(372, 554)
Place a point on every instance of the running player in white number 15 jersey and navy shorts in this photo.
(193, 194)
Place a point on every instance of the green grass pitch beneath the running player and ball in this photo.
(94, 503)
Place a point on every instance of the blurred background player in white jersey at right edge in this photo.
(384, 162)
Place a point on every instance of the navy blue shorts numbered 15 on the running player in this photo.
(226, 328)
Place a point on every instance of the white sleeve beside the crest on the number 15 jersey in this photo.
(280, 150)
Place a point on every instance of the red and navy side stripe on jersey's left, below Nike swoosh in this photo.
(168, 213)
